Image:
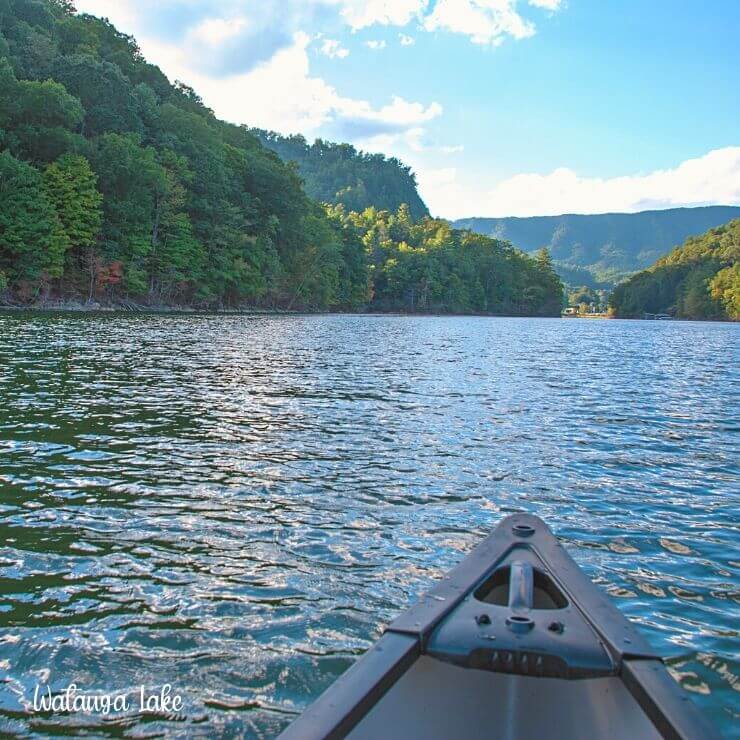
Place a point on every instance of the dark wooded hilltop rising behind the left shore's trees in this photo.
(338, 173)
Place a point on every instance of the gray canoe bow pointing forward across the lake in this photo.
(514, 643)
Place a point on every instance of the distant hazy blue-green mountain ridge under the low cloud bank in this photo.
(609, 245)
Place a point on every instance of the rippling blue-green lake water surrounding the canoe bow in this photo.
(236, 505)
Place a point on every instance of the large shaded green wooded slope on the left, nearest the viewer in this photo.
(116, 183)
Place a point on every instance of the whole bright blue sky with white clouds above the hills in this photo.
(502, 107)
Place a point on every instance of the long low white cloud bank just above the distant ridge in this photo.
(707, 180)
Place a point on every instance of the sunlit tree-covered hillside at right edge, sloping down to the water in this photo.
(698, 280)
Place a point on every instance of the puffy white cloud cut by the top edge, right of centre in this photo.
(484, 21)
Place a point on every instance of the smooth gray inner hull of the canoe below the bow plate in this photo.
(437, 700)
